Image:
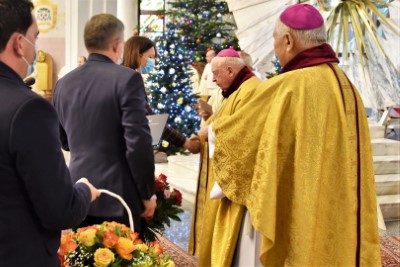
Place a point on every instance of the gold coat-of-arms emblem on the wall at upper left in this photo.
(46, 15)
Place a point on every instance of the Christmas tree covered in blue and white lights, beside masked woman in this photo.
(170, 87)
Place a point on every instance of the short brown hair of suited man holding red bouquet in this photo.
(101, 30)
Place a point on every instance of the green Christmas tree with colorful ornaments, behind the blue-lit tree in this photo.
(205, 24)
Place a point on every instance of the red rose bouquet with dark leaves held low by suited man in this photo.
(168, 207)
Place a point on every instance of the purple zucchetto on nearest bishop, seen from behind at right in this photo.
(302, 17)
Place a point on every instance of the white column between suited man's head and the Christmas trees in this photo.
(127, 12)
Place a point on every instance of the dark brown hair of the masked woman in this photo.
(134, 49)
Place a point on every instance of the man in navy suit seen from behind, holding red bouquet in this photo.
(101, 107)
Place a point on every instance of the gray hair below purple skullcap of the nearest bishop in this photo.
(305, 38)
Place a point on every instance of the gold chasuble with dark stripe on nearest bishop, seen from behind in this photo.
(298, 156)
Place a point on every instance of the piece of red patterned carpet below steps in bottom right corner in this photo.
(390, 251)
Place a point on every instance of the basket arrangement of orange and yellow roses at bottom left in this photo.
(109, 245)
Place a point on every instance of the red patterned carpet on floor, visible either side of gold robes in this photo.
(390, 252)
